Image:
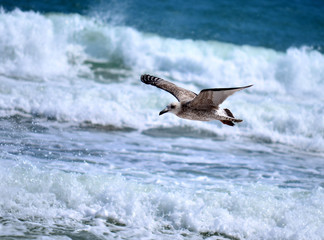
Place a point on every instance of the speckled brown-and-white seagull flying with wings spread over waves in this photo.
(201, 107)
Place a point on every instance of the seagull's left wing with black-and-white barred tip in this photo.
(180, 93)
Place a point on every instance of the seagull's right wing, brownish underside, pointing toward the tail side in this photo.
(213, 97)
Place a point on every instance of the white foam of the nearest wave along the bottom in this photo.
(97, 204)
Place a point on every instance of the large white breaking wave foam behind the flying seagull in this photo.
(79, 69)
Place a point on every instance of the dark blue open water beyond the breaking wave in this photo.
(269, 23)
